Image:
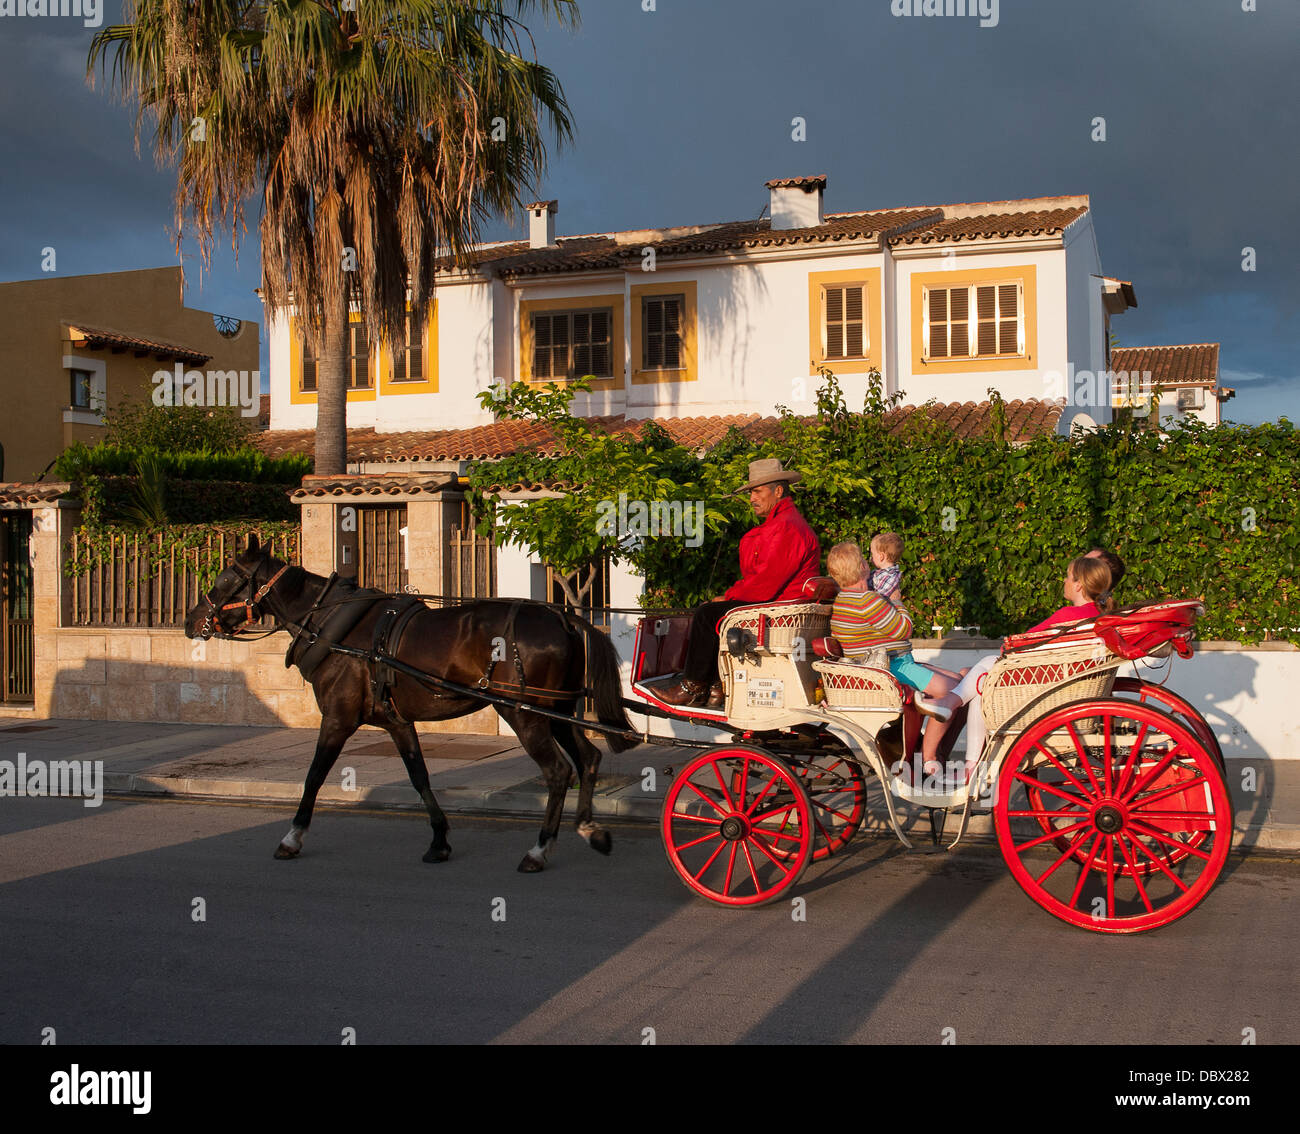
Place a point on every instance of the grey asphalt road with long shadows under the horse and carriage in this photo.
(102, 943)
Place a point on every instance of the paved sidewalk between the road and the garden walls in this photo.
(479, 774)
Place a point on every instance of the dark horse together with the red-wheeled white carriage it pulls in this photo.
(1108, 794)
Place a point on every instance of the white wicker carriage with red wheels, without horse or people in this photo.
(1108, 794)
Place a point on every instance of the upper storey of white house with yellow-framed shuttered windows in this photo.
(736, 318)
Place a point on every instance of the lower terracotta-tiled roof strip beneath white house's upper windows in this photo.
(502, 439)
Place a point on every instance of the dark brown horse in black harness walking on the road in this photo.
(530, 652)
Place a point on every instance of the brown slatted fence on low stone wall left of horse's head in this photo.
(135, 583)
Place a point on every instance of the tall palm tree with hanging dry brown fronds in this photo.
(380, 135)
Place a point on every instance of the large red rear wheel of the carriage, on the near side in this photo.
(1113, 816)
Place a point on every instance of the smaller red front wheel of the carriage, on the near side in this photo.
(738, 826)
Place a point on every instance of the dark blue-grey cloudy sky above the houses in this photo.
(684, 111)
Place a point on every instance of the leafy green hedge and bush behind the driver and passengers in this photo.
(990, 529)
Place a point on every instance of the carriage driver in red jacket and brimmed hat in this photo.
(775, 560)
